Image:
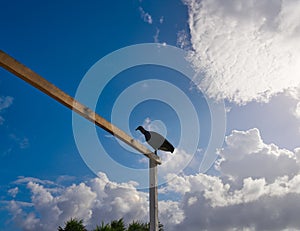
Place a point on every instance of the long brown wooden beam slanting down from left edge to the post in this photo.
(23, 72)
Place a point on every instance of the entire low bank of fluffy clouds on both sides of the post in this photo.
(258, 189)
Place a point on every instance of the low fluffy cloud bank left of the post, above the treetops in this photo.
(93, 201)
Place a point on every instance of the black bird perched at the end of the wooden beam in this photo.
(156, 141)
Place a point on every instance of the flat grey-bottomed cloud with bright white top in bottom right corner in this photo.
(256, 206)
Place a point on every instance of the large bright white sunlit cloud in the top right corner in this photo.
(248, 50)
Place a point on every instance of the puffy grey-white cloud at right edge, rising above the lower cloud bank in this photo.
(246, 155)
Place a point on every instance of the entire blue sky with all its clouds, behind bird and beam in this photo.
(43, 172)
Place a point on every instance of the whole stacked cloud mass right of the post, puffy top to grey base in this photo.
(258, 188)
